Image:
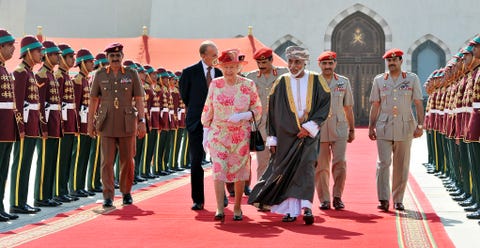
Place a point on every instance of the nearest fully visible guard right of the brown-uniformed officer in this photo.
(153, 122)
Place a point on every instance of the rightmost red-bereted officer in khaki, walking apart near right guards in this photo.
(393, 126)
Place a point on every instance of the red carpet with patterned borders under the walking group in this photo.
(161, 217)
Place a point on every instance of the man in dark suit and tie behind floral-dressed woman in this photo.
(193, 89)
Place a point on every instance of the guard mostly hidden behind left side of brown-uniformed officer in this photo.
(94, 183)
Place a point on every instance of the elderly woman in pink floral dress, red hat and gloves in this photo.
(231, 104)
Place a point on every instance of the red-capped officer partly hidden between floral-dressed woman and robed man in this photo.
(264, 77)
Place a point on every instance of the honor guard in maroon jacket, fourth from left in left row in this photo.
(70, 123)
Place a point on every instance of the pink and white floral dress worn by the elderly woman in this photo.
(229, 142)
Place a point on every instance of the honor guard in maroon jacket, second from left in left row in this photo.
(28, 104)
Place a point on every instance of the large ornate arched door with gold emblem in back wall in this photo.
(359, 42)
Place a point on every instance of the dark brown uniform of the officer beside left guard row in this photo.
(117, 124)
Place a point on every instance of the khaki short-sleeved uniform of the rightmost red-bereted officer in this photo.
(394, 129)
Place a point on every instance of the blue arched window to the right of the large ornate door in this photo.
(426, 58)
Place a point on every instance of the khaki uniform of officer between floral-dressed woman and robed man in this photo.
(264, 84)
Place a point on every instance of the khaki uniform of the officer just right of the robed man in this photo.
(333, 140)
